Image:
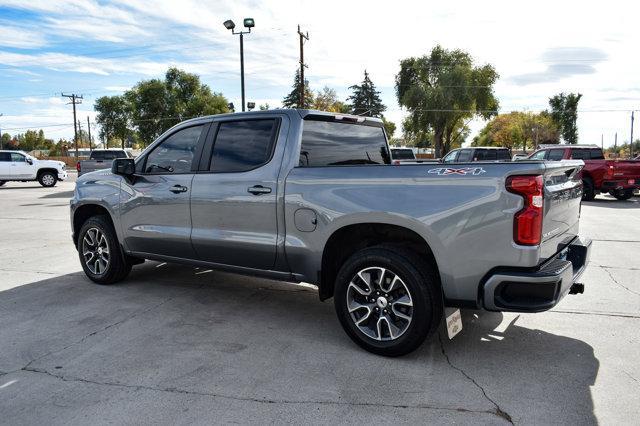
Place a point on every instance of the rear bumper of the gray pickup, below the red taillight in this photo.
(540, 289)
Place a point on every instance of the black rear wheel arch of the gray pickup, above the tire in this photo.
(348, 239)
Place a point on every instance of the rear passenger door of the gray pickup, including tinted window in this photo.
(234, 211)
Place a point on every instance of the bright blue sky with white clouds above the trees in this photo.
(98, 48)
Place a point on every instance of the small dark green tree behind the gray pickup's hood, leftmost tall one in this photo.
(113, 117)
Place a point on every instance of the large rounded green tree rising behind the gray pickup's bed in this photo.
(444, 88)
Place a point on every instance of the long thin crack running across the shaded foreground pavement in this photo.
(253, 399)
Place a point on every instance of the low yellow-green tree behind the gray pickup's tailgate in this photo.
(518, 130)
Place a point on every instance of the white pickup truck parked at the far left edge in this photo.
(20, 166)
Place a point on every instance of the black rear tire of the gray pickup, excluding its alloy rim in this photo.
(420, 280)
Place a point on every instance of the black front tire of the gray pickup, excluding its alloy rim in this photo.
(117, 266)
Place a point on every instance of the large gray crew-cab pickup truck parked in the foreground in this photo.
(307, 196)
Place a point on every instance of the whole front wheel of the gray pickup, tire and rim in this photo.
(100, 255)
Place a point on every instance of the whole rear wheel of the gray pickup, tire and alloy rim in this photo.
(388, 300)
